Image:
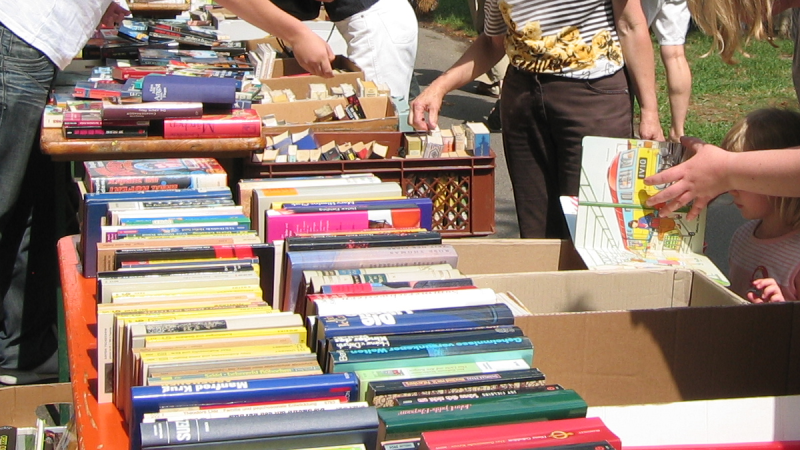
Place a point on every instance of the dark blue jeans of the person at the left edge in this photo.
(28, 261)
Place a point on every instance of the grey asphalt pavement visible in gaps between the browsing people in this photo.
(437, 52)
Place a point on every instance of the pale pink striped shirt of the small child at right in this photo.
(751, 258)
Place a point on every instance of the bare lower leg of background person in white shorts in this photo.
(679, 85)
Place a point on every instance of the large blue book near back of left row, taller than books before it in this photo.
(95, 208)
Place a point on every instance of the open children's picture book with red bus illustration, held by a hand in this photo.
(615, 229)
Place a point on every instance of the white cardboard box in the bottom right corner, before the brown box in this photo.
(704, 422)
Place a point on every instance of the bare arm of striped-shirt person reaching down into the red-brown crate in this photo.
(477, 59)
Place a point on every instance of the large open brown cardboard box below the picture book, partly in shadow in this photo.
(639, 336)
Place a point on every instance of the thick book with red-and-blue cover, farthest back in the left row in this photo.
(153, 174)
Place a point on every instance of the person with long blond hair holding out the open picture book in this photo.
(713, 171)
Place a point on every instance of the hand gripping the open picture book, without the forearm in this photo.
(701, 178)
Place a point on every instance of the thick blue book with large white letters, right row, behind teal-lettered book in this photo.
(415, 321)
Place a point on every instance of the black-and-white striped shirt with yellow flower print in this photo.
(575, 39)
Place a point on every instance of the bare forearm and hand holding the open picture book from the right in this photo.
(713, 171)
